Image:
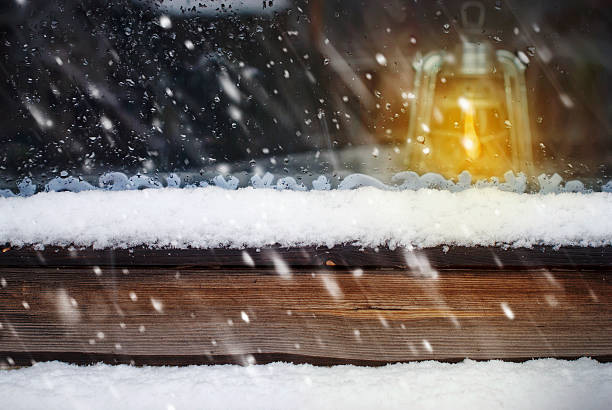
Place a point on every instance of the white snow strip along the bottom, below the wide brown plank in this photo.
(538, 384)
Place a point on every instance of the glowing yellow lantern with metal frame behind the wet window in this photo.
(470, 111)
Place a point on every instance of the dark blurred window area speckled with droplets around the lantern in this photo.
(291, 87)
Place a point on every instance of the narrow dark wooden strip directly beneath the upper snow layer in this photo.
(339, 256)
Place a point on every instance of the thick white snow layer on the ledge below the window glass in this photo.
(247, 217)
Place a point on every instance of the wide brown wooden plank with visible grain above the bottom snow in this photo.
(192, 315)
